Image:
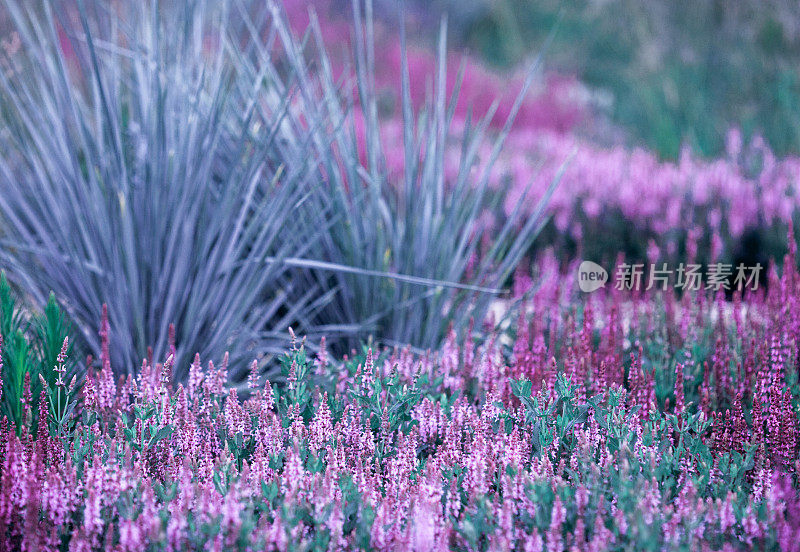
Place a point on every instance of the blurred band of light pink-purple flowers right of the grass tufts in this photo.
(749, 188)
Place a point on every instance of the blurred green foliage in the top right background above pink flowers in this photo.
(675, 72)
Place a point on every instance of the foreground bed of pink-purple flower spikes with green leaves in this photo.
(615, 422)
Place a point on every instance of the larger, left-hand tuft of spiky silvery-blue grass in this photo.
(139, 170)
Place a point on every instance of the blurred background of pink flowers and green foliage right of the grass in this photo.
(680, 120)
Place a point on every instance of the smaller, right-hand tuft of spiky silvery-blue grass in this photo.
(405, 254)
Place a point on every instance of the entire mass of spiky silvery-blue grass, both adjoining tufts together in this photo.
(200, 166)
